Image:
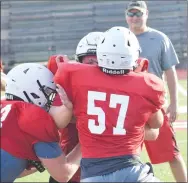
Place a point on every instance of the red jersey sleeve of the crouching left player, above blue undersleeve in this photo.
(36, 122)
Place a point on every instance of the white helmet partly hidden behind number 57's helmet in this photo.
(88, 45)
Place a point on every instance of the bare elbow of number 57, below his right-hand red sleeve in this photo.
(156, 120)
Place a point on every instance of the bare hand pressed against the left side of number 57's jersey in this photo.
(64, 98)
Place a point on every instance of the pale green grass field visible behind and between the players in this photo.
(162, 171)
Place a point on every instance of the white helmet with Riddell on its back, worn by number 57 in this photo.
(118, 50)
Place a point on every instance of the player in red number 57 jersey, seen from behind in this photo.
(112, 108)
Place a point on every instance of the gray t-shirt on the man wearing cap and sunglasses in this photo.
(158, 49)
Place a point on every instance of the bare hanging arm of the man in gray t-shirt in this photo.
(172, 82)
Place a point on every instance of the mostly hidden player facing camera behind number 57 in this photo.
(85, 53)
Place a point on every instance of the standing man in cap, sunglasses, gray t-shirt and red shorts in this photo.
(158, 49)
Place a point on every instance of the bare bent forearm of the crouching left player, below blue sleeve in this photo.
(63, 168)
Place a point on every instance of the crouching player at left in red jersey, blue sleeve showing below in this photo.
(34, 134)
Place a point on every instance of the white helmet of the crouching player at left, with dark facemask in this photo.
(31, 83)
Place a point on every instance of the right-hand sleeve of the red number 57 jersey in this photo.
(155, 92)
